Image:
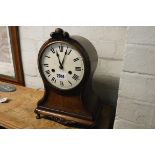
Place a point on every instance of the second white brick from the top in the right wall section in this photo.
(140, 58)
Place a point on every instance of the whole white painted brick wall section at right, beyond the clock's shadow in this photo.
(136, 101)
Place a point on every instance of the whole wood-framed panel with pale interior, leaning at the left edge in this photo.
(11, 69)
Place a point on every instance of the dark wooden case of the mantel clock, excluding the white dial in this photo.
(79, 106)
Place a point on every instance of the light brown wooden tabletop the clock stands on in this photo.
(18, 112)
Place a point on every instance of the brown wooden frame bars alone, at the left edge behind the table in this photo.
(16, 56)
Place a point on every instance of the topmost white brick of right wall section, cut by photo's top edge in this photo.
(141, 35)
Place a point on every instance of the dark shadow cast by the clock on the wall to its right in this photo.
(106, 87)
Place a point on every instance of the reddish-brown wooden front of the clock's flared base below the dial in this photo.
(68, 110)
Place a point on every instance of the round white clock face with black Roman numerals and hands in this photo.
(62, 65)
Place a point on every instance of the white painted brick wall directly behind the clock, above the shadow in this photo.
(108, 41)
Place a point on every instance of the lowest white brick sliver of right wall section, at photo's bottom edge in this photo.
(123, 124)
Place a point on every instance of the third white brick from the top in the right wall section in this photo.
(138, 86)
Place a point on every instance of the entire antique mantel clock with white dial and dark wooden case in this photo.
(66, 65)
